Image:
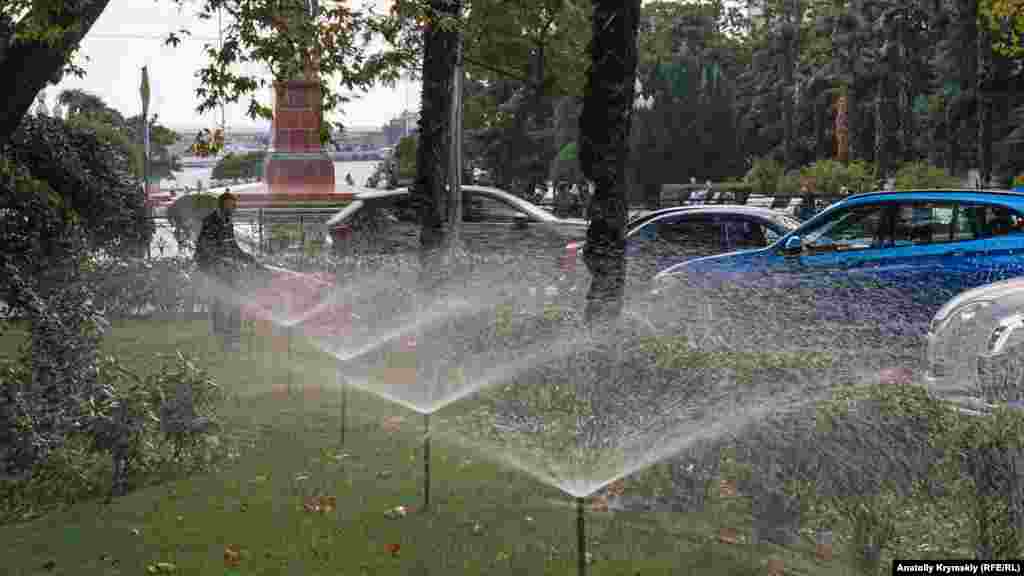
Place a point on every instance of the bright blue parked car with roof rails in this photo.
(929, 244)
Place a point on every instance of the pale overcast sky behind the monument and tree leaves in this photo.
(131, 34)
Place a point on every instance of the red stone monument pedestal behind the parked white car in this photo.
(296, 169)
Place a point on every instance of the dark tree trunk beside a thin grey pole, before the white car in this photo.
(440, 55)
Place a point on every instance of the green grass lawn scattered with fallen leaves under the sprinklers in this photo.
(485, 519)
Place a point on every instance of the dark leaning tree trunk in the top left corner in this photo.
(36, 63)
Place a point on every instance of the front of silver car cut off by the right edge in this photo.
(975, 345)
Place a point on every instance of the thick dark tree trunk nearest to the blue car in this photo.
(605, 131)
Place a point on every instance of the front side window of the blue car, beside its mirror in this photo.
(855, 229)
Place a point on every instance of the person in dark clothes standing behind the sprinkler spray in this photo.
(222, 260)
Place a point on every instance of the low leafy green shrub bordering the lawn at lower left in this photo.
(138, 430)
